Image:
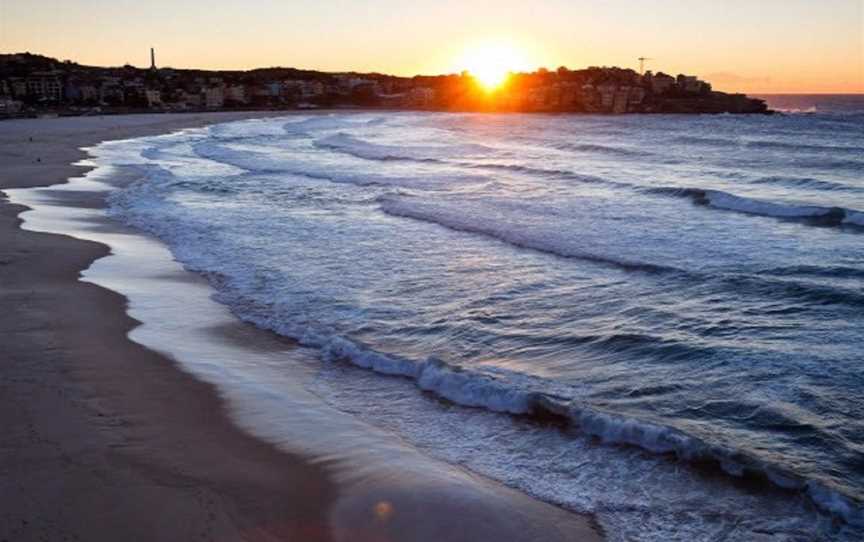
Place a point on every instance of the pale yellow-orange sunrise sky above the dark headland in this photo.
(783, 46)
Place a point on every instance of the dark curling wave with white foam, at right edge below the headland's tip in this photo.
(812, 214)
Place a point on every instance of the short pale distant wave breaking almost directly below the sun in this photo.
(354, 146)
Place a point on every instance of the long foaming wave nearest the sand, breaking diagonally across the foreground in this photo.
(506, 392)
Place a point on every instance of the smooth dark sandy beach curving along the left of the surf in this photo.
(108, 440)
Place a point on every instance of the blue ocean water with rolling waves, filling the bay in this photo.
(688, 285)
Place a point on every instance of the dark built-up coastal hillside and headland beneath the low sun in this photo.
(33, 84)
